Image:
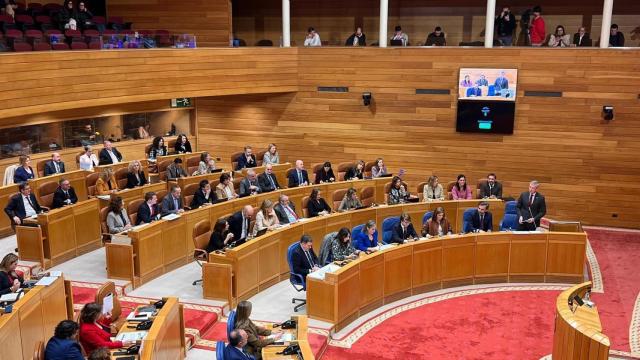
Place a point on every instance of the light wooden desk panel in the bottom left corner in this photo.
(33, 319)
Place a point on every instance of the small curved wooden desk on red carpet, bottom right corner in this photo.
(578, 335)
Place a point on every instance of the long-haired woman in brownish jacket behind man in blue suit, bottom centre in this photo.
(257, 336)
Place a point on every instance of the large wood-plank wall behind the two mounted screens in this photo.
(585, 165)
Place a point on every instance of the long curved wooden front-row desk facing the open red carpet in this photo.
(413, 268)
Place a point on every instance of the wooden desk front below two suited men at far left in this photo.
(67, 232)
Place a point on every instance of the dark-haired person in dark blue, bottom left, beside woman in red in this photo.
(63, 345)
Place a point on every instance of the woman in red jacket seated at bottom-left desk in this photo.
(93, 335)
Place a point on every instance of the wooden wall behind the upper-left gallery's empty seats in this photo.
(209, 20)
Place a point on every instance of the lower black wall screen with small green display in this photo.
(485, 116)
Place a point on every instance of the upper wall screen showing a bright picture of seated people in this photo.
(487, 84)
